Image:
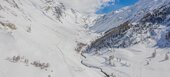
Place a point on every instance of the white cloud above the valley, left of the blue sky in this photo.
(85, 6)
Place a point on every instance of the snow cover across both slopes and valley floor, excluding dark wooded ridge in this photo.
(46, 33)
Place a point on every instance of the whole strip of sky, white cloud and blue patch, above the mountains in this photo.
(97, 6)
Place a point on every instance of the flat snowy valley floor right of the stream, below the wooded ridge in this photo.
(136, 61)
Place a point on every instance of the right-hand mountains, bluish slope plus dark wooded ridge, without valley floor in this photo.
(150, 24)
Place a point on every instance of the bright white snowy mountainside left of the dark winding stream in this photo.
(38, 39)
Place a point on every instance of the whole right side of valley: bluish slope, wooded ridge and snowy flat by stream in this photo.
(135, 41)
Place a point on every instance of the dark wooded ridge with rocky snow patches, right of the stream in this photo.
(152, 28)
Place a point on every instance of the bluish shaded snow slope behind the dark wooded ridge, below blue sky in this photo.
(133, 13)
